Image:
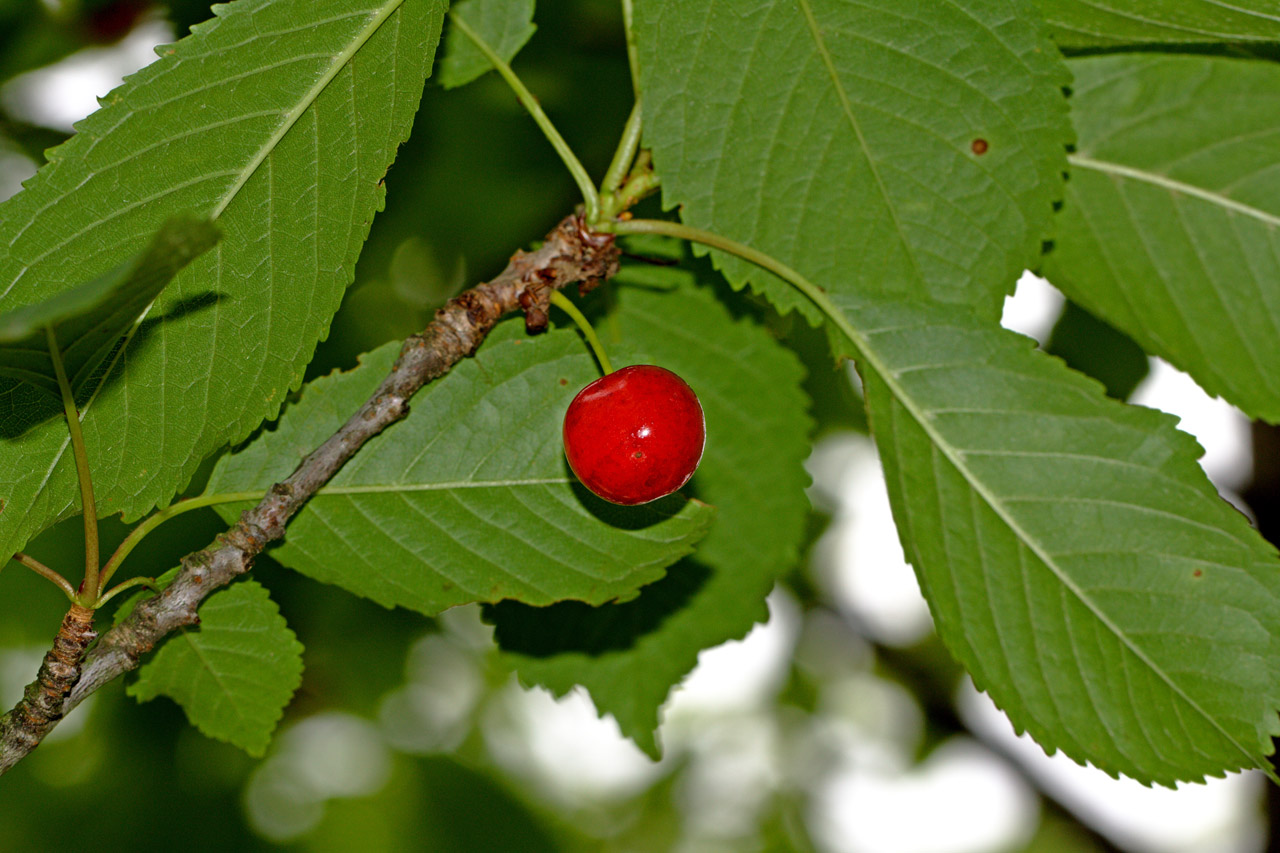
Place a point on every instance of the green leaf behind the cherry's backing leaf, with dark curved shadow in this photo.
(630, 655)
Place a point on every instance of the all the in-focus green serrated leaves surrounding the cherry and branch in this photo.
(903, 163)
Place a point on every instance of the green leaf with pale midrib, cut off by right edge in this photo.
(1169, 230)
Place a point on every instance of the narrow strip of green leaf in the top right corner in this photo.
(1103, 24)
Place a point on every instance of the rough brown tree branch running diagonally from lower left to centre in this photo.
(572, 254)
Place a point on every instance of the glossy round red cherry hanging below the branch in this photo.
(636, 435)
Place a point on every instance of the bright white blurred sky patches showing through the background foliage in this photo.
(870, 796)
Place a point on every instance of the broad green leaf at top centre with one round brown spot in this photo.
(839, 138)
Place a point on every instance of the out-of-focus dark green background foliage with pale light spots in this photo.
(405, 736)
